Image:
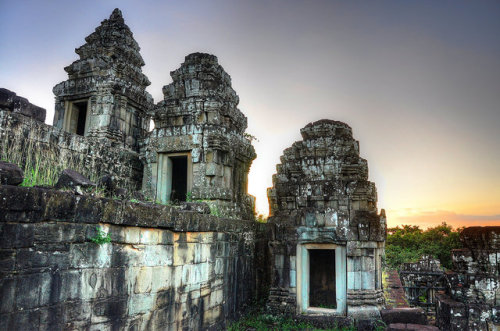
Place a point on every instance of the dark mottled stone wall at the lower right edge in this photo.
(472, 300)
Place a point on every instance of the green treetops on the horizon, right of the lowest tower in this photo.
(408, 243)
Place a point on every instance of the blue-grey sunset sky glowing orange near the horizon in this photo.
(418, 82)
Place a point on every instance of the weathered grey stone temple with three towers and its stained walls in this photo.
(185, 252)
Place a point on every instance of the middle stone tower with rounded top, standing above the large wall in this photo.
(198, 147)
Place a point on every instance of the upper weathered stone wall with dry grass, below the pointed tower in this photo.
(39, 147)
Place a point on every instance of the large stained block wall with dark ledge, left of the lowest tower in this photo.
(163, 270)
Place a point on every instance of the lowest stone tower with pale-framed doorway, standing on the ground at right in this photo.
(329, 237)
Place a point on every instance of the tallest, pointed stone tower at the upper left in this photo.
(105, 94)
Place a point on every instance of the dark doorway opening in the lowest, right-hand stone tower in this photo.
(322, 278)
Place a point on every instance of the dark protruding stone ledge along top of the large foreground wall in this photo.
(32, 205)
